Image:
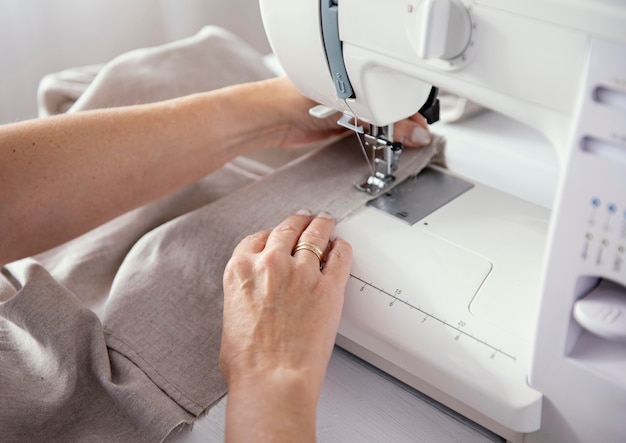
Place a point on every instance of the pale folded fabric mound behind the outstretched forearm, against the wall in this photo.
(211, 59)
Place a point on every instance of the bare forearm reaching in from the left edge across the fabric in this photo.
(61, 176)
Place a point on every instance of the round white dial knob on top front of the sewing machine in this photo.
(444, 29)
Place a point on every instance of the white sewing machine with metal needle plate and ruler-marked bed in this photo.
(506, 312)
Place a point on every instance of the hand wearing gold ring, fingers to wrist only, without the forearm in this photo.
(305, 301)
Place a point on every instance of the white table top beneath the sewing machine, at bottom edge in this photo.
(361, 403)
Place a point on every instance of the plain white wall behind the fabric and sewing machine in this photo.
(38, 37)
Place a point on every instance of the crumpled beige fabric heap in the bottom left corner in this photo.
(60, 382)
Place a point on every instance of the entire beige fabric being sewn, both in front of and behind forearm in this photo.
(115, 335)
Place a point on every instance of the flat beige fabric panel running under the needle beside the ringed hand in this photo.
(167, 295)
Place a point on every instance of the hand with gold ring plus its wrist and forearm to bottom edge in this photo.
(281, 315)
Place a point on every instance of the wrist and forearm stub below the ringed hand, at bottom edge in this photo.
(276, 407)
